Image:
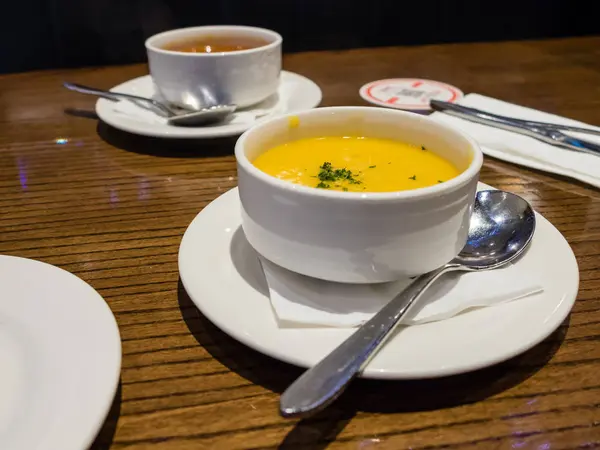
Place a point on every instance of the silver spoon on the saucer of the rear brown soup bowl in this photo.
(174, 115)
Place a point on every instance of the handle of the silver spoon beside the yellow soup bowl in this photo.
(324, 382)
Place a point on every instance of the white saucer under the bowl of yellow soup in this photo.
(223, 277)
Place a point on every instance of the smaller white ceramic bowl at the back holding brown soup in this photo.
(196, 80)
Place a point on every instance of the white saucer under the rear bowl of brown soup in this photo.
(295, 93)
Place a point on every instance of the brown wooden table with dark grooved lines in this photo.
(112, 207)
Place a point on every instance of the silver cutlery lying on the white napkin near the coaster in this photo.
(545, 132)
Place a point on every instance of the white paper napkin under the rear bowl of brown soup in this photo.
(267, 108)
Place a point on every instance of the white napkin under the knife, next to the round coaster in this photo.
(524, 150)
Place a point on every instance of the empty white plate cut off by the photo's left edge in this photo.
(60, 358)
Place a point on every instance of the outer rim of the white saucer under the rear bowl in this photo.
(107, 115)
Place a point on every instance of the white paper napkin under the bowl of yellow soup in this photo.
(300, 301)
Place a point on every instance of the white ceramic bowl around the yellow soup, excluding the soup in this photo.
(357, 237)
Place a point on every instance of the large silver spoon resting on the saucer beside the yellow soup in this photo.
(501, 227)
